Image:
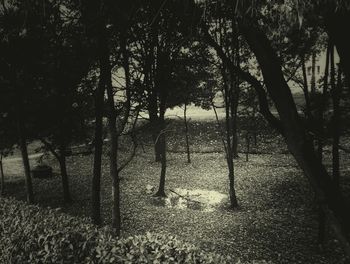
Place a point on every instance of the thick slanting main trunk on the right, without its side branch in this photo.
(296, 137)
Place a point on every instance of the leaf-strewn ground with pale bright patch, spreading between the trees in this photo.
(276, 220)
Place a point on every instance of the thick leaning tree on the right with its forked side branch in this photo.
(289, 123)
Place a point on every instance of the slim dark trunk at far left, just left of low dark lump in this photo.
(25, 159)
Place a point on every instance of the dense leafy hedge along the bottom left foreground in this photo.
(30, 234)
